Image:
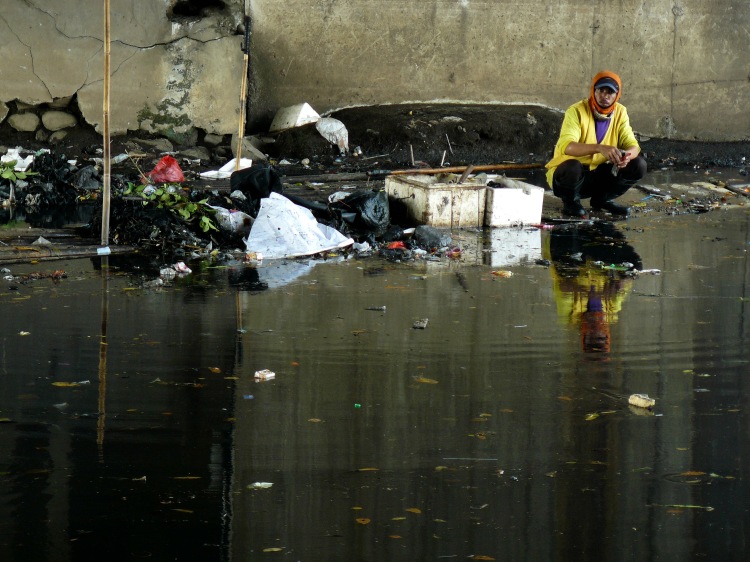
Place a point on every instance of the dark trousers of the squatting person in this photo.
(572, 181)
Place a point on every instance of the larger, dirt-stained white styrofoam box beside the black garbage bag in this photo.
(428, 201)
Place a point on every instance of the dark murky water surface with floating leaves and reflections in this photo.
(133, 427)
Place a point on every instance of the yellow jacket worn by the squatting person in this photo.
(579, 126)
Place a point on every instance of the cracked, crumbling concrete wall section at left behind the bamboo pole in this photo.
(167, 74)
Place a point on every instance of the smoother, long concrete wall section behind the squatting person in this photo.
(685, 63)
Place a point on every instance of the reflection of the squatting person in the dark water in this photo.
(589, 262)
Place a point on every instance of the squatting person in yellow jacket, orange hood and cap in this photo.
(597, 155)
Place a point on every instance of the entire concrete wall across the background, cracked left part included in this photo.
(685, 63)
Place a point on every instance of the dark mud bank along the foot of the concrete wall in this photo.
(456, 134)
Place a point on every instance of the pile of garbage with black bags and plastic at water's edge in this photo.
(160, 211)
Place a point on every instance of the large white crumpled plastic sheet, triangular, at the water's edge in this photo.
(285, 230)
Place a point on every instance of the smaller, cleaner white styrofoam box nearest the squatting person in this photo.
(515, 203)
